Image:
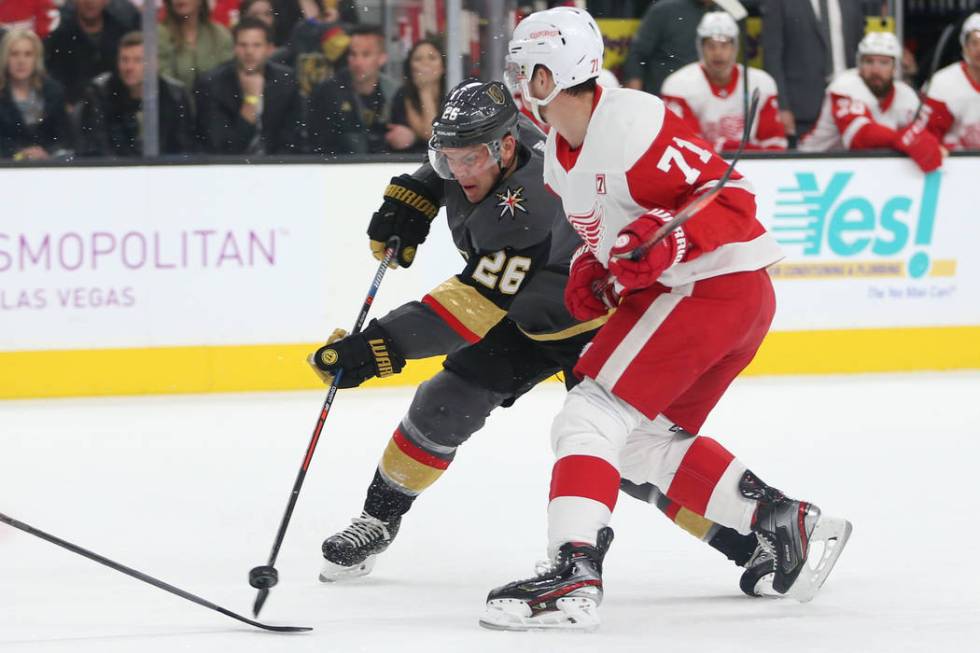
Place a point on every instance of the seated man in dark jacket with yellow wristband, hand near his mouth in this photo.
(250, 105)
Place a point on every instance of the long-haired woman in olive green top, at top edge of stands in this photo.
(190, 42)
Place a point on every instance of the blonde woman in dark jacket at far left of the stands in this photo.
(33, 121)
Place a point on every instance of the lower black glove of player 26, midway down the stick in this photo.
(362, 356)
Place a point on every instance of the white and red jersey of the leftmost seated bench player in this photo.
(717, 113)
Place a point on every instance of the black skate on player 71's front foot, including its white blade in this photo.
(564, 595)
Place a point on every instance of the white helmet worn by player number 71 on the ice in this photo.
(565, 40)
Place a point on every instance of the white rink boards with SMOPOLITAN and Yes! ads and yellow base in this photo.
(211, 278)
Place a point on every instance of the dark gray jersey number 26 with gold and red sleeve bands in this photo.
(516, 246)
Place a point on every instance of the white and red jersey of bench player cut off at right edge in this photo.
(953, 104)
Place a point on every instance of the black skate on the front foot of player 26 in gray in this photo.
(351, 553)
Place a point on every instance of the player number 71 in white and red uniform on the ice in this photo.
(692, 310)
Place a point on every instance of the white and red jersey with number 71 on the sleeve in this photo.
(637, 155)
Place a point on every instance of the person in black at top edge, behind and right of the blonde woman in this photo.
(83, 46)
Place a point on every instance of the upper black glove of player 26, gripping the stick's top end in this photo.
(406, 212)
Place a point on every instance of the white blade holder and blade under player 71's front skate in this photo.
(572, 613)
